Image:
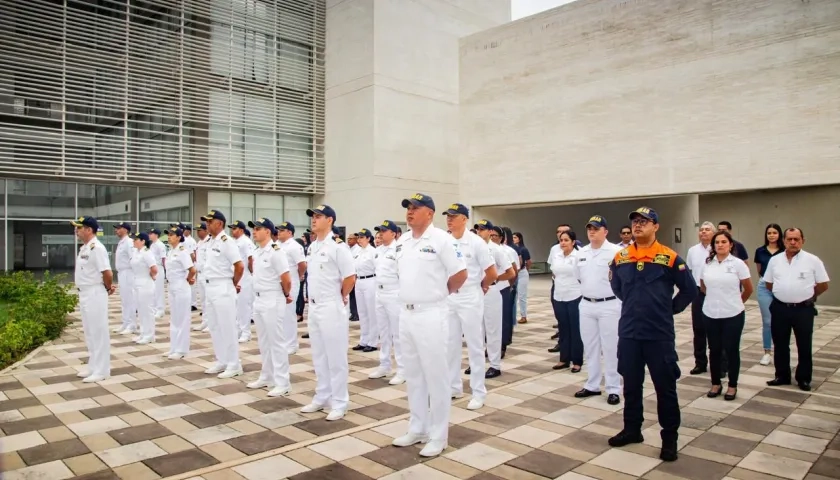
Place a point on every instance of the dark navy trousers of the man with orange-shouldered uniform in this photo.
(660, 356)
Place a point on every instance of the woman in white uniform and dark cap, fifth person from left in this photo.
(180, 273)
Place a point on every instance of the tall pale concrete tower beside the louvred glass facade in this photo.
(392, 102)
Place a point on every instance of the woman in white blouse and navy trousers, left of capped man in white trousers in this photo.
(567, 297)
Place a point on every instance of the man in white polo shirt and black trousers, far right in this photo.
(796, 279)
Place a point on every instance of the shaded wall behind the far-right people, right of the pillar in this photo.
(814, 210)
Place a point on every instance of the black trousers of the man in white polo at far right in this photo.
(800, 319)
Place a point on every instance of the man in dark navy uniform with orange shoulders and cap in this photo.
(643, 277)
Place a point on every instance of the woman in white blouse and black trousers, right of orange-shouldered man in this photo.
(726, 283)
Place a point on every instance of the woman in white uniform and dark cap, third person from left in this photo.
(144, 268)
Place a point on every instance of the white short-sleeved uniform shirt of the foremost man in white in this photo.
(425, 265)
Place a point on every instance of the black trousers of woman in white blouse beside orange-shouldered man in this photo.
(724, 336)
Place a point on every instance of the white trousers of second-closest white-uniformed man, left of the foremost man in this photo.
(329, 326)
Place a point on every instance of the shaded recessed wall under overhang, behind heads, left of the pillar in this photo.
(538, 224)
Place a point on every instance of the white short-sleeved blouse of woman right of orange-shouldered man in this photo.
(723, 286)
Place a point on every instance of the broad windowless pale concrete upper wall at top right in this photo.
(617, 98)
